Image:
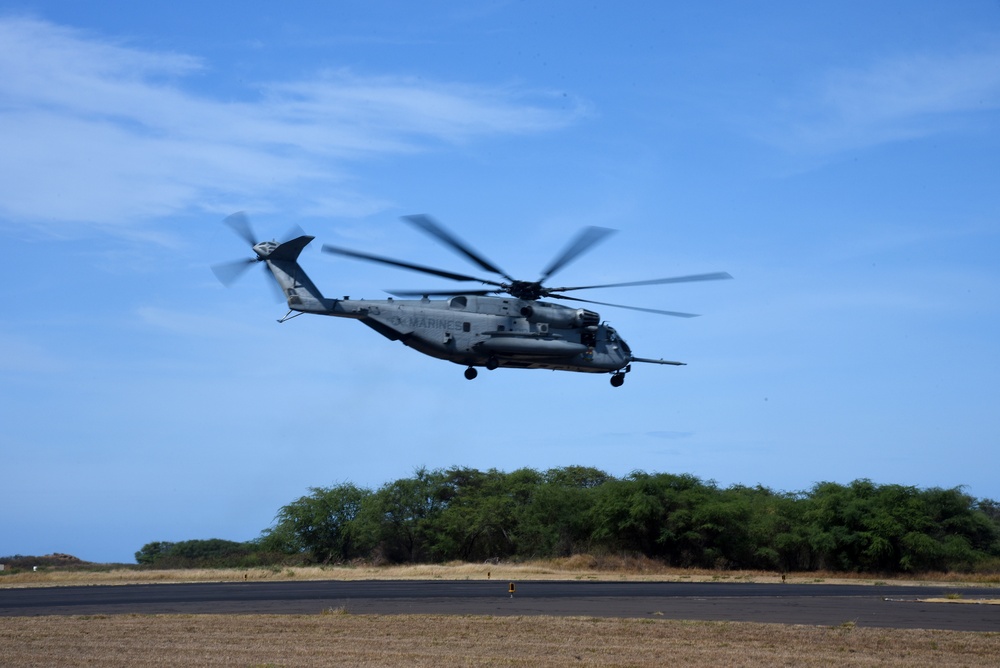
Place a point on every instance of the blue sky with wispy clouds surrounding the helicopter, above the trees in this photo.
(841, 160)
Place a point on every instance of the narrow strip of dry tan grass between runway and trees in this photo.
(578, 567)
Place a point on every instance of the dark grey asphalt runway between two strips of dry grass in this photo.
(823, 605)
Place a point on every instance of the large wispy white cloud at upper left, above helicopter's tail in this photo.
(106, 133)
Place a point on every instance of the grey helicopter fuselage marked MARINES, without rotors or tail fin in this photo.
(474, 330)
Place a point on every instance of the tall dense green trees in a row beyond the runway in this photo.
(471, 515)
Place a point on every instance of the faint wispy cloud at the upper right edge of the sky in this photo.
(891, 100)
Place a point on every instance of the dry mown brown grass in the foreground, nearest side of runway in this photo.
(378, 640)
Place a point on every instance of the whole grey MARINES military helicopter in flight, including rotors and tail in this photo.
(504, 325)
